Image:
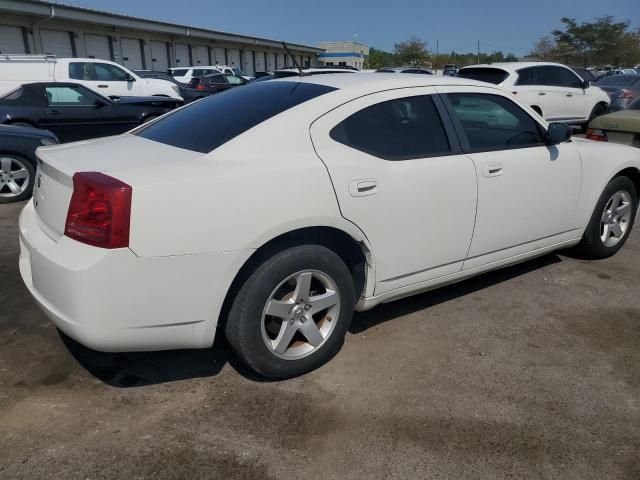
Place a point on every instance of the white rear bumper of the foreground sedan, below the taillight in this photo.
(113, 300)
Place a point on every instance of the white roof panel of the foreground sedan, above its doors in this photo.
(376, 82)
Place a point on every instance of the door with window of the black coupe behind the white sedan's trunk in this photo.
(76, 113)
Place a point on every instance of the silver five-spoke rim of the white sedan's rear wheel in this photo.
(300, 314)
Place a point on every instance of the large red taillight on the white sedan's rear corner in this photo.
(100, 211)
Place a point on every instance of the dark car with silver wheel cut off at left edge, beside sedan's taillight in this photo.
(18, 160)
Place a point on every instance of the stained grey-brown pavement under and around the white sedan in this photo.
(529, 372)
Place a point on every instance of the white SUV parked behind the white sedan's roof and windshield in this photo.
(555, 91)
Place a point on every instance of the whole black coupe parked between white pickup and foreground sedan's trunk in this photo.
(74, 112)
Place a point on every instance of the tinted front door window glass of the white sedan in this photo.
(492, 122)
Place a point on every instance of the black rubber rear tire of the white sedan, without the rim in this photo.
(244, 327)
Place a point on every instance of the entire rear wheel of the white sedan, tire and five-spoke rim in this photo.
(292, 313)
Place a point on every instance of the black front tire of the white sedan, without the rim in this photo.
(592, 245)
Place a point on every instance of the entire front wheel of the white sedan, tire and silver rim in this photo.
(611, 221)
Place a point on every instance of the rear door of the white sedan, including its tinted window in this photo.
(403, 181)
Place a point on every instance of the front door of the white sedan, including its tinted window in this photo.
(527, 190)
